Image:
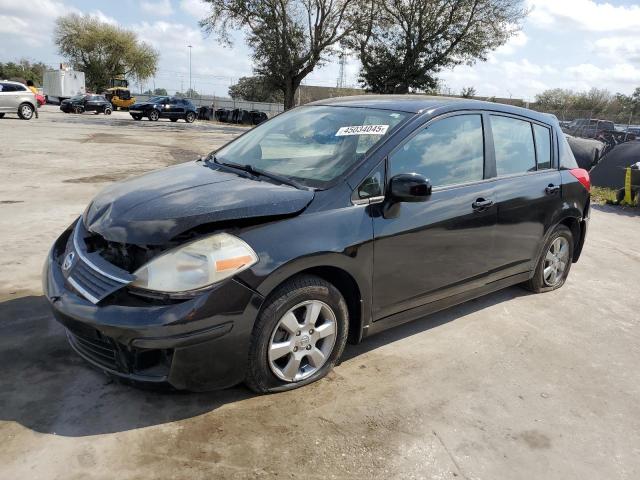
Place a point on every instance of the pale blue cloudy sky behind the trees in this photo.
(576, 44)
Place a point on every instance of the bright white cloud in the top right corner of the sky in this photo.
(585, 14)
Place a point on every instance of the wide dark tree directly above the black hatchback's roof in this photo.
(405, 43)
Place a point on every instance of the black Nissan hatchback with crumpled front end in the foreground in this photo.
(329, 222)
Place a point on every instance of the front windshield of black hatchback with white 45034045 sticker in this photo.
(313, 145)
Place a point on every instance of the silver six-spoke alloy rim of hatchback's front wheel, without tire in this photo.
(302, 341)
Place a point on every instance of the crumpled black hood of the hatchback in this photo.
(154, 208)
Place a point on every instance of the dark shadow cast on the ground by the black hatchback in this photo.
(47, 388)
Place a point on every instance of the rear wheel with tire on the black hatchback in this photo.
(541, 282)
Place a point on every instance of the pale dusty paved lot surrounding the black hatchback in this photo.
(509, 386)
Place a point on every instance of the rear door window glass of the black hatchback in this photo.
(514, 147)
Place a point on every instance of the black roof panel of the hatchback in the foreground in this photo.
(423, 103)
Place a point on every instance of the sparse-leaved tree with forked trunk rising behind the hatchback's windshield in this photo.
(289, 38)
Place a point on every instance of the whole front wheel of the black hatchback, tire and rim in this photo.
(323, 338)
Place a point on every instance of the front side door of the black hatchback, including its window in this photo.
(429, 250)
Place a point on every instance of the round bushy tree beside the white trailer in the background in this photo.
(103, 51)
